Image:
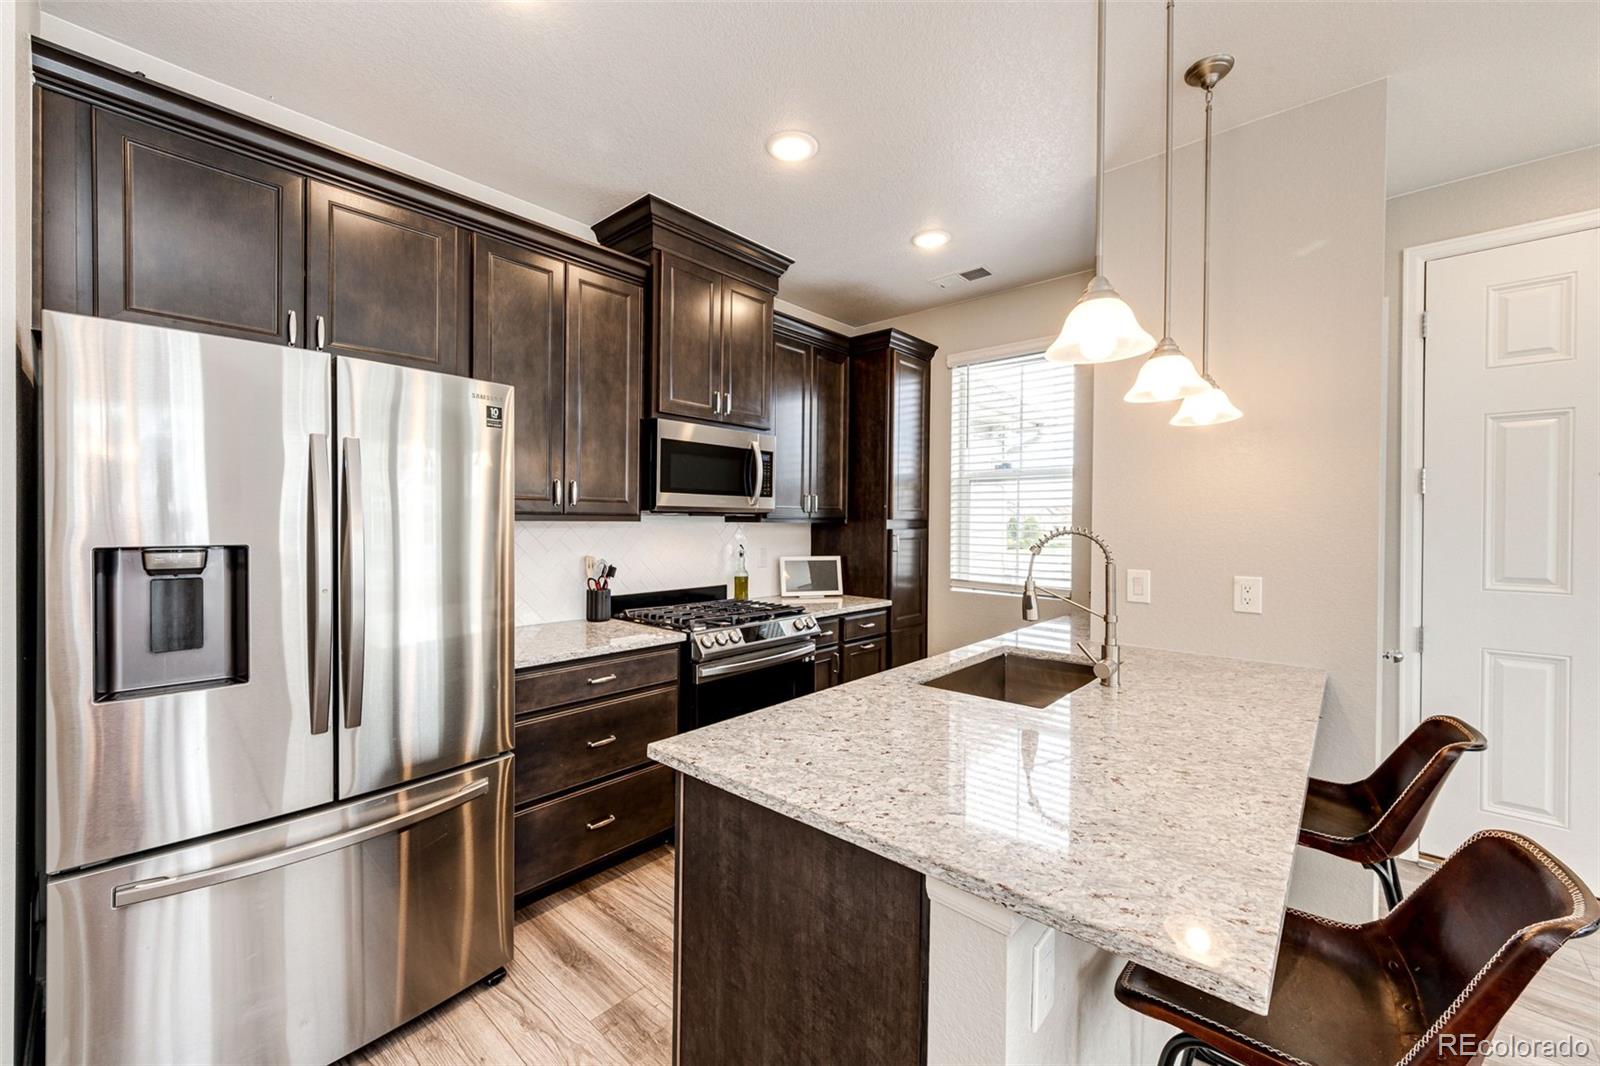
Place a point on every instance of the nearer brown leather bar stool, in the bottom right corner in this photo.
(1444, 966)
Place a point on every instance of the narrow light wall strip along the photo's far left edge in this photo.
(17, 23)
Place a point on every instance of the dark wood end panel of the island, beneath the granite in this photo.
(793, 947)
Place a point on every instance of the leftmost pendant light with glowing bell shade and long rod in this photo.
(1102, 327)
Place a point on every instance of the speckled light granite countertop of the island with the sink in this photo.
(1156, 822)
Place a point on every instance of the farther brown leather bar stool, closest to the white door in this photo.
(1374, 820)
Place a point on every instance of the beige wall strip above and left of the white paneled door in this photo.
(1548, 188)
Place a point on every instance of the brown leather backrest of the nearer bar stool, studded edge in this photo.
(1476, 932)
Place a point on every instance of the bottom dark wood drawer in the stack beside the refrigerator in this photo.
(564, 835)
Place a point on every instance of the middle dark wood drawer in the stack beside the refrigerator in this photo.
(564, 750)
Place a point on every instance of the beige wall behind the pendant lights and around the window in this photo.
(1292, 492)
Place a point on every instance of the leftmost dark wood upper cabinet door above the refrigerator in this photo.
(194, 236)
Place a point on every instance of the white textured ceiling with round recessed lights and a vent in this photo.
(977, 119)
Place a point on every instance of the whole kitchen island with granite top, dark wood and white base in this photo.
(876, 872)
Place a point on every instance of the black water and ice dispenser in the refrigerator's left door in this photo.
(170, 620)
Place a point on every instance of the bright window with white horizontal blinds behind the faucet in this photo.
(1012, 451)
